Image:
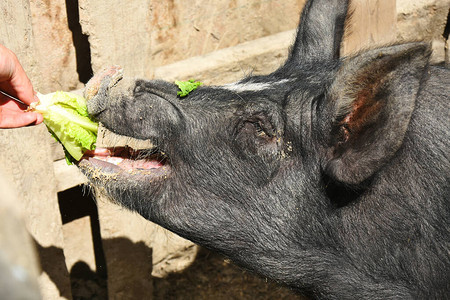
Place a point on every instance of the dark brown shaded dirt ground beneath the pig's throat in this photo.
(212, 276)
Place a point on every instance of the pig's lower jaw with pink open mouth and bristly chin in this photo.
(107, 163)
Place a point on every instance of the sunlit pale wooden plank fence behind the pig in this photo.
(61, 43)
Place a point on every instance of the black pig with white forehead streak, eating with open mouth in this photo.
(330, 175)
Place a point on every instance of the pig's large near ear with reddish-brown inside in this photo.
(371, 101)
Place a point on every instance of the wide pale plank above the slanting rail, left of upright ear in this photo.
(184, 29)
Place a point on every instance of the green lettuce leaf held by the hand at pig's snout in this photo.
(66, 117)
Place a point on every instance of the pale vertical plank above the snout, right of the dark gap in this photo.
(119, 33)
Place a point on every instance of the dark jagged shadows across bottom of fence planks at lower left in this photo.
(87, 284)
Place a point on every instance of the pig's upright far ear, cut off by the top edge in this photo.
(320, 32)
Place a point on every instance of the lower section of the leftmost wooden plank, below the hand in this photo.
(25, 158)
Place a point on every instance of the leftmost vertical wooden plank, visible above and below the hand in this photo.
(25, 157)
